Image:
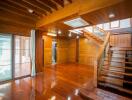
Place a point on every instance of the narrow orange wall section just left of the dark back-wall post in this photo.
(72, 50)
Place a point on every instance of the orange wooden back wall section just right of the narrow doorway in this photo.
(62, 51)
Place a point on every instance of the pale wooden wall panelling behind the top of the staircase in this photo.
(121, 40)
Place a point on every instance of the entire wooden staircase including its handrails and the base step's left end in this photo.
(113, 68)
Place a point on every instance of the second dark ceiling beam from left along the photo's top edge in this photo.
(38, 5)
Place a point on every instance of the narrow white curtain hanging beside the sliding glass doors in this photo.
(32, 52)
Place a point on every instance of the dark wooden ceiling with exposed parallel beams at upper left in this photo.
(25, 13)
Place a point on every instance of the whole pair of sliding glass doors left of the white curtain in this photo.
(15, 61)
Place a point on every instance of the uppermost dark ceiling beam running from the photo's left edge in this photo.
(12, 9)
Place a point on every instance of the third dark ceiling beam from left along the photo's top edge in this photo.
(48, 3)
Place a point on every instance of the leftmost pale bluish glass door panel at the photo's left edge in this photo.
(5, 57)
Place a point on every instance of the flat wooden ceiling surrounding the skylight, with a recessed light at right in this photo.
(121, 11)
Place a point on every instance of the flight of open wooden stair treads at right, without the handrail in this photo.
(116, 72)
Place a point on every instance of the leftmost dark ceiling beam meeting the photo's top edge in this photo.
(28, 6)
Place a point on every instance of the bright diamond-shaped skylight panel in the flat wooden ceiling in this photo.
(78, 22)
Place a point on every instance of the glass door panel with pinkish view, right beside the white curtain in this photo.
(22, 56)
